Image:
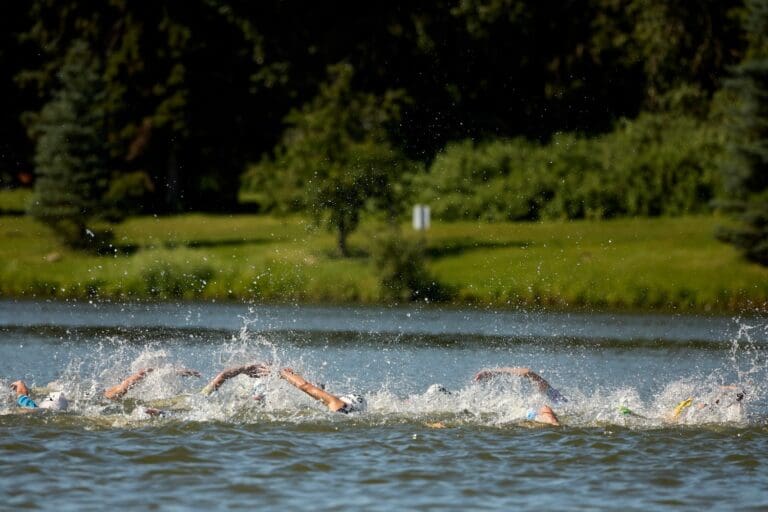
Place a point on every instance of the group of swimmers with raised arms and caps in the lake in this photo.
(542, 413)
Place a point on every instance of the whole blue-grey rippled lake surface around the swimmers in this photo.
(231, 451)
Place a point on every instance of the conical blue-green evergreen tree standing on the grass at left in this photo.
(70, 155)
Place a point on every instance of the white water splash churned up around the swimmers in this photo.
(391, 398)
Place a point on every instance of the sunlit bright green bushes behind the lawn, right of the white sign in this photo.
(654, 165)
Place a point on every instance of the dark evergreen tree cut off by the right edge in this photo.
(745, 171)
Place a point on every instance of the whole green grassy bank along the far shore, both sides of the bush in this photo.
(639, 264)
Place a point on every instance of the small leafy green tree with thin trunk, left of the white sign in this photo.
(336, 154)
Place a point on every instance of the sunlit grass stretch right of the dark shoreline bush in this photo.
(643, 264)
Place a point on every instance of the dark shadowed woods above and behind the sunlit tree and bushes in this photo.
(198, 88)
